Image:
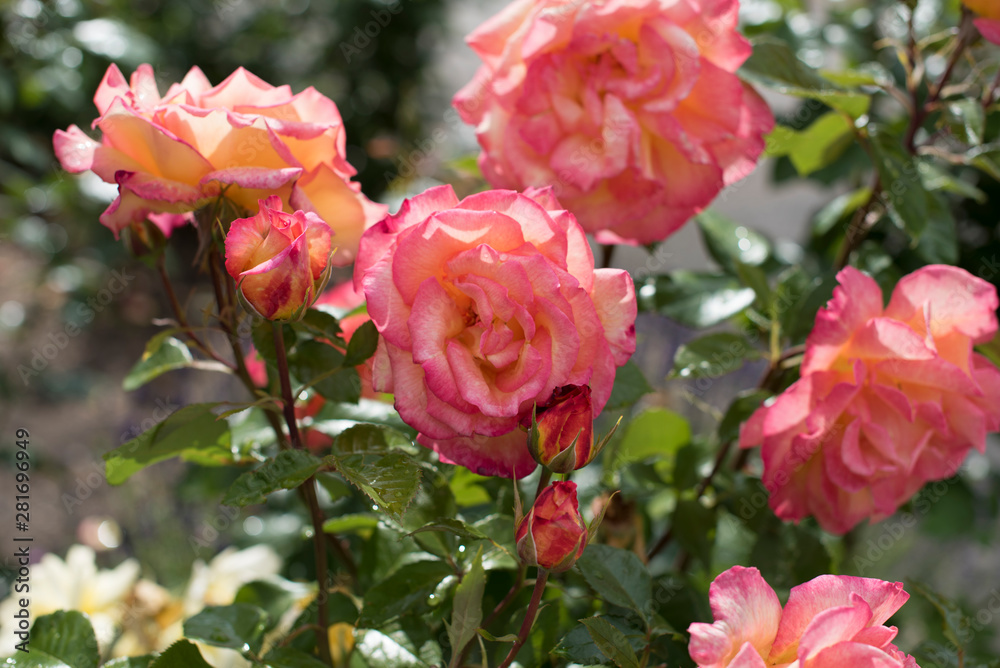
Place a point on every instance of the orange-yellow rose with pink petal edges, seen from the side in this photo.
(173, 154)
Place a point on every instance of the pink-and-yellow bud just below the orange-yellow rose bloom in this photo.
(278, 259)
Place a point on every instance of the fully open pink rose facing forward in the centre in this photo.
(485, 306)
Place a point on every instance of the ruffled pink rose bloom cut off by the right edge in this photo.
(889, 398)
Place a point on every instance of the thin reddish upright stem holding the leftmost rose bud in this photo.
(309, 493)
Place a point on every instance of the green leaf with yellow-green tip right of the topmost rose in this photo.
(774, 65)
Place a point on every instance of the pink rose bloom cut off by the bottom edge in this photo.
(829, 622)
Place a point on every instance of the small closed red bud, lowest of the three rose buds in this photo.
(553, 535)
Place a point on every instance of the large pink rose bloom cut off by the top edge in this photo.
(630, 108)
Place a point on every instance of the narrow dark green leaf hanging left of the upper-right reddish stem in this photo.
(901, 182)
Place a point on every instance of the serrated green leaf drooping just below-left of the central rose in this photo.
(363, 457)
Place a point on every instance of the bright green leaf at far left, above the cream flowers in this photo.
(192, 433)
